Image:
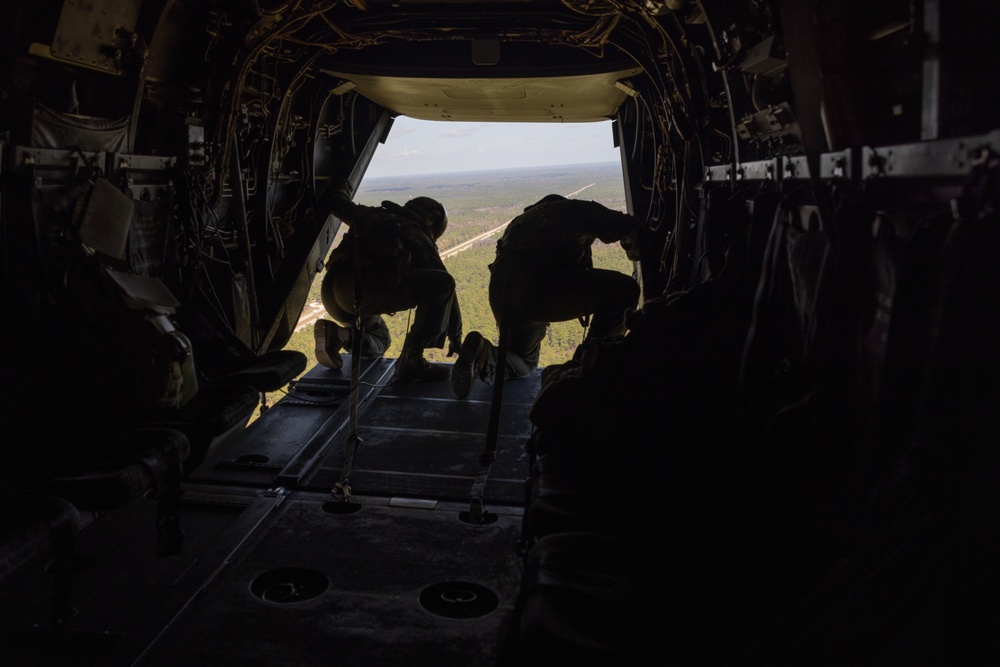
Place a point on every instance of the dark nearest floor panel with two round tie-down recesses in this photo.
(379, 579)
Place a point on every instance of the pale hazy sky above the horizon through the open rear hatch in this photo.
(434, 147)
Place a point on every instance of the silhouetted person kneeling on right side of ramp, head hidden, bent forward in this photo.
(544, 263)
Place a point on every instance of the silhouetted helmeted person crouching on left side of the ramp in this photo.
(393, 248)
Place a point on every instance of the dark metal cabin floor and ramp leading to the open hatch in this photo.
(277, 571)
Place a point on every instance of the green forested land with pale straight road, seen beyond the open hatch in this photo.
(479, 205)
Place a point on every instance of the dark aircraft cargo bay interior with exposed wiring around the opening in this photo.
(790, 457)
